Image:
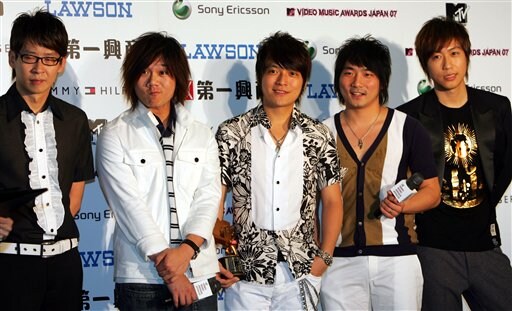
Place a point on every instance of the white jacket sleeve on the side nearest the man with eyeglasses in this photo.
(119, 186)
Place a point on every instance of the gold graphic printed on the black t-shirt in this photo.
(463, 181)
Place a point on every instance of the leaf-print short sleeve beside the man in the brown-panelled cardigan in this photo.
(328, 161)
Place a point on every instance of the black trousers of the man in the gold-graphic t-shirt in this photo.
(484, 278)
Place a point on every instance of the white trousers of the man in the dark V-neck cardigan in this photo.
(372, 283)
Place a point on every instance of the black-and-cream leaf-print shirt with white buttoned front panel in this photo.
(275, 191)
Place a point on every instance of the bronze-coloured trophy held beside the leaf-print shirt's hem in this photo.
(224, 234)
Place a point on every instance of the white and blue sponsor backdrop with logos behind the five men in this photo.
(221, 41)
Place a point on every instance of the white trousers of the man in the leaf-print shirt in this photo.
(283, 295)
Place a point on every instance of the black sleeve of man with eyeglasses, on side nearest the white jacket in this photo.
(84, 169)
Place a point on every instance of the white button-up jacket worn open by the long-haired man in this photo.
(132, 175)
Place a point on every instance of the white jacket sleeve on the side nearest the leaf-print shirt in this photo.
(205, 203)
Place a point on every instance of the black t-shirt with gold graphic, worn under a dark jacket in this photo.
(464, 221)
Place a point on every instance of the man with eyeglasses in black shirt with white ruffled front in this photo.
(46, 143)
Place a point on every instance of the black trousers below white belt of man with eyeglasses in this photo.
(31, 283)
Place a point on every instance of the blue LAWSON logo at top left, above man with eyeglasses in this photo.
(107, 9)
